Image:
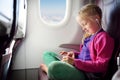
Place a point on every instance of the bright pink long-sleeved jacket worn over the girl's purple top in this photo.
(101, 49)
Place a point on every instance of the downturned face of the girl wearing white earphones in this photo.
(88, 25)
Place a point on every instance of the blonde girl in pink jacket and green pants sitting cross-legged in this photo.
(94, 55)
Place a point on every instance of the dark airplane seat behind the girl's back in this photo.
(111, 18)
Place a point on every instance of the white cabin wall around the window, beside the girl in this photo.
(40, 37)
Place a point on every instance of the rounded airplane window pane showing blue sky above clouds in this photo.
(52, 11)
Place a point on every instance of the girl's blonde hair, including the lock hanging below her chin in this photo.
(89, 11)
